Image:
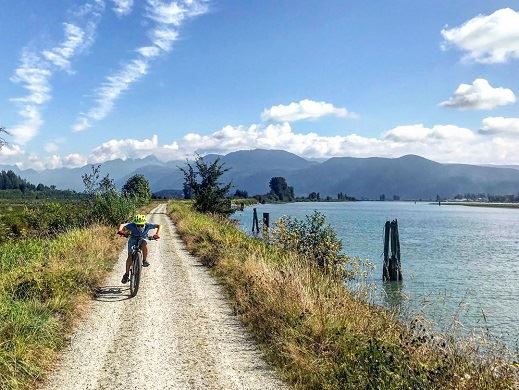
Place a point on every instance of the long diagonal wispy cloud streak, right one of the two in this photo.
(168, 17)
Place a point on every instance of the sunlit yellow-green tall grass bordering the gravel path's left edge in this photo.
(41, 284)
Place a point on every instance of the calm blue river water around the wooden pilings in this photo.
(457, 262)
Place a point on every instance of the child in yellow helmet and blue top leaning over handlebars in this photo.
(137, 229)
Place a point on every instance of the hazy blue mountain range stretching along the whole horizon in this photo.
(410, 177)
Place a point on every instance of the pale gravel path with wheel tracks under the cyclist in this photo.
(177, 333)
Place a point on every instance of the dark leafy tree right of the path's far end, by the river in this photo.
(203, 180)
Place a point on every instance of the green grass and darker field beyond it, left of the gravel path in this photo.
(46, 282)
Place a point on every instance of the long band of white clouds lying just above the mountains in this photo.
(444, 143)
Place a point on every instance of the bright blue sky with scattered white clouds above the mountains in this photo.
(318, 78)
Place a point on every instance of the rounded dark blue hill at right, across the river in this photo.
(410, 177)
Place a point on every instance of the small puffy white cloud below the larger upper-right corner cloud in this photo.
(479, 96)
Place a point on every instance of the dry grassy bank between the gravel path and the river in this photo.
(316, 333)
